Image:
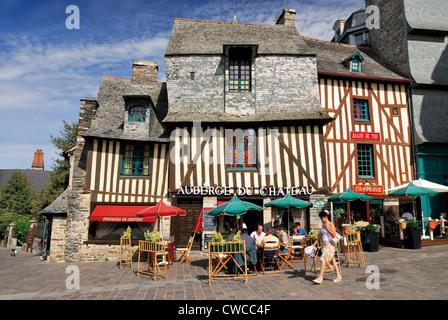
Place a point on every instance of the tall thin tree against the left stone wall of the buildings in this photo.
(59, 177)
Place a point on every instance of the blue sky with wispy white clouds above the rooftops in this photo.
(45, 68)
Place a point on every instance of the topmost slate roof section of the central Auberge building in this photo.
(191, 36)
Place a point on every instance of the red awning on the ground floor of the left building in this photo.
(119, 213)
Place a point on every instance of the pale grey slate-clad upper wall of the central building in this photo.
(281, 83)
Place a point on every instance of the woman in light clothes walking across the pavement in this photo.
(328, 231)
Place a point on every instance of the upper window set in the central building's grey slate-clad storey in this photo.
(240, 78)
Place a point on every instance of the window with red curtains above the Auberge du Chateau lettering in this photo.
(241, 149)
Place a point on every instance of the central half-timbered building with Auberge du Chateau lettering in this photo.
(245, 119)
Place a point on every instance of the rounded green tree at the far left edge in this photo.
(16, 199)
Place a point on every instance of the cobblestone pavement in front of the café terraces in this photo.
(403, 274)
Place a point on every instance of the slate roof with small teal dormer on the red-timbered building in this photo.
(331, 57)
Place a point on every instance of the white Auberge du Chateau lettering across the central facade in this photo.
(244, 191)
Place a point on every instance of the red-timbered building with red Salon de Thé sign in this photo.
(368, 144)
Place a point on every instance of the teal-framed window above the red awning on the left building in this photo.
(135, 160)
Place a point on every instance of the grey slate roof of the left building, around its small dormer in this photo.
(110, 115)
